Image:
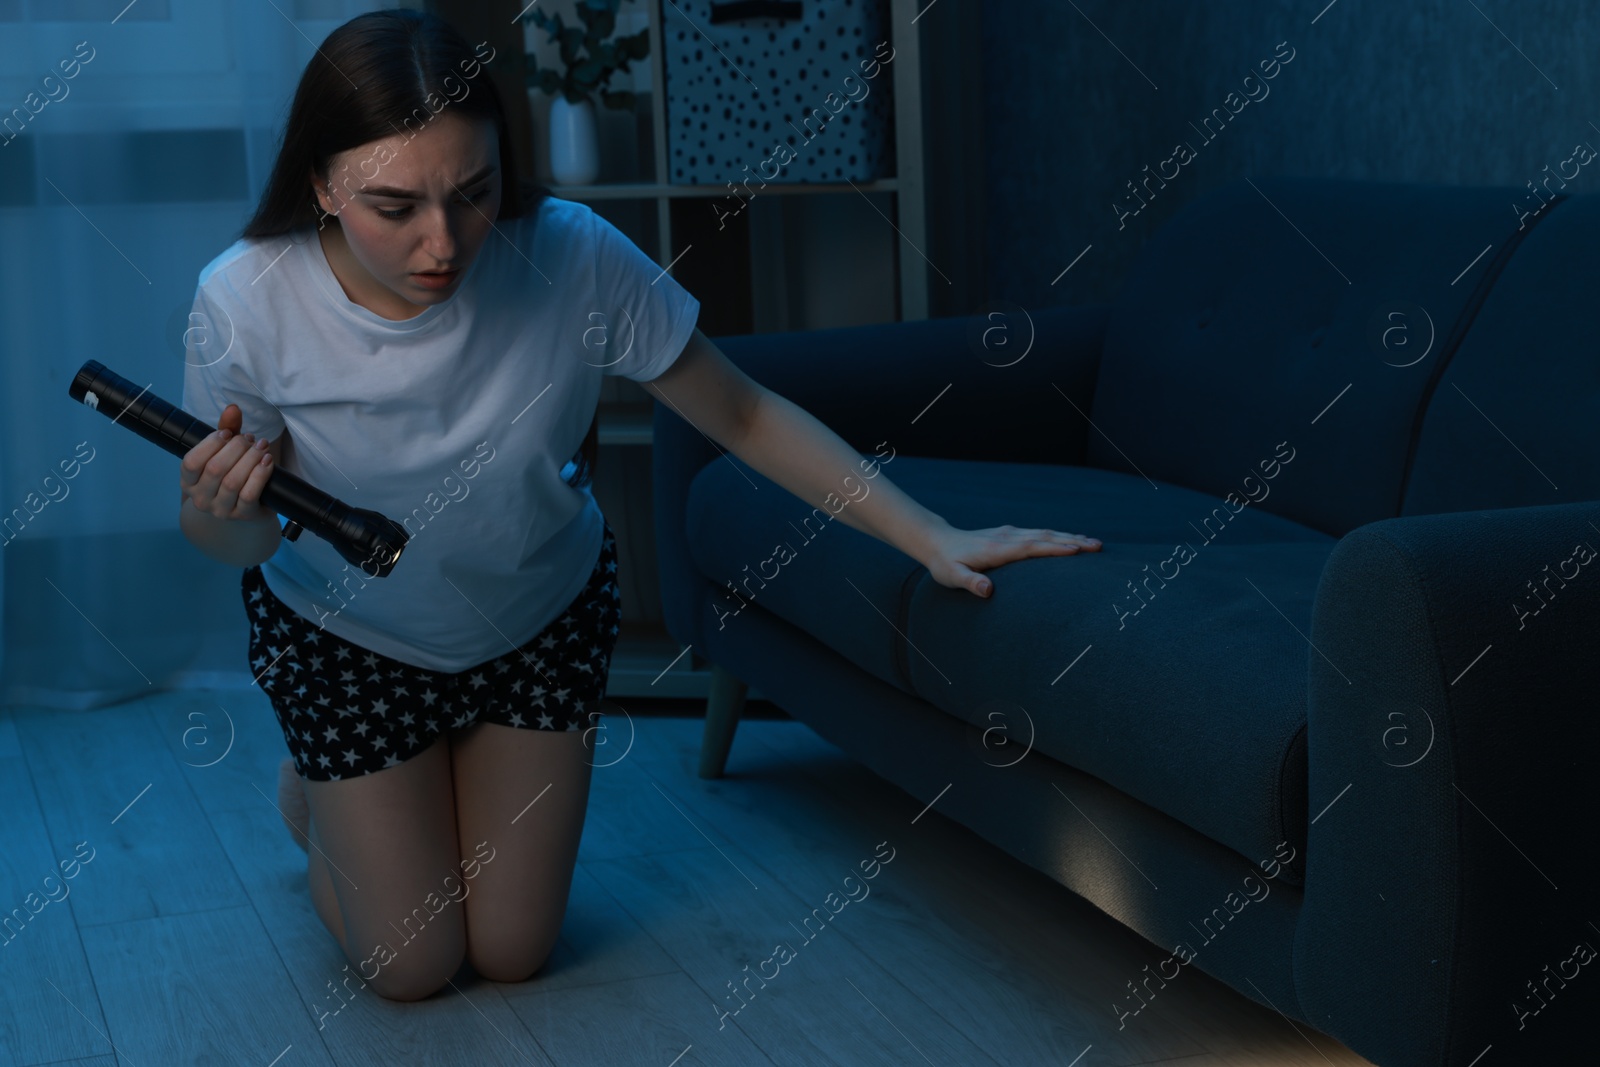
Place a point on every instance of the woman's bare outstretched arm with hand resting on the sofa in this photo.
(798, 452)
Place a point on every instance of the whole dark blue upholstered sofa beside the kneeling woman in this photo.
(1322, 716)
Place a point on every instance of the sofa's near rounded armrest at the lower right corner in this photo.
(1452, 735)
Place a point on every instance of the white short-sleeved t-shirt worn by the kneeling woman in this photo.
(458, 423)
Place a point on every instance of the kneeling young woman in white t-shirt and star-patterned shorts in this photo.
(401, 329)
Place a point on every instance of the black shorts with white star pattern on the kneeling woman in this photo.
(348, 711)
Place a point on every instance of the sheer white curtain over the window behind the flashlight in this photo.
(135, 142)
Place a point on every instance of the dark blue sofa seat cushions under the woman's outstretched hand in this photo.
(1188, 693)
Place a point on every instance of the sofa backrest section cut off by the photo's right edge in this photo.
(1516, 417)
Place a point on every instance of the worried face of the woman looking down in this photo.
(414, 212)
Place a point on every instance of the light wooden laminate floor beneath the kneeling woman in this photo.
(190, 937)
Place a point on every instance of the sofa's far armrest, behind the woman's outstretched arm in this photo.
(924, 388)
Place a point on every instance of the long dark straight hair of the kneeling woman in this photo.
(370, 81)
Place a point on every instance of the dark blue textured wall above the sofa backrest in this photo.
(1382, 90)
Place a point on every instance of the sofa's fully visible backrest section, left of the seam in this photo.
(1295, 318)
